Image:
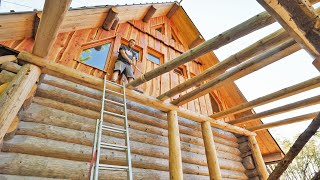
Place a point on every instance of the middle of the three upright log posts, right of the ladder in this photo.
(211, 153)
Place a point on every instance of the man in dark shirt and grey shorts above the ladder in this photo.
(126, 58)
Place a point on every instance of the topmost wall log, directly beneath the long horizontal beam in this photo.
(96, 94)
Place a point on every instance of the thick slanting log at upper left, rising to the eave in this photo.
(51, 19)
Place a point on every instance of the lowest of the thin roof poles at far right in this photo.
(284, 122)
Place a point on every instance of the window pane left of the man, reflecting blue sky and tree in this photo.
(96, 56)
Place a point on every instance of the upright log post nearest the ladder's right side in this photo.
(175, 161)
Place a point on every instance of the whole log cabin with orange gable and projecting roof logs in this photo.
(52, 67)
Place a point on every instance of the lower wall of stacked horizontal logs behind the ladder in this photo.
(55, 135)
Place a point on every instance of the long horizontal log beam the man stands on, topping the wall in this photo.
(58, 70)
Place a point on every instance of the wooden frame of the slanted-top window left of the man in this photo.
(93, 44)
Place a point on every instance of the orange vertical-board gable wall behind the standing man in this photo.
(68, 46)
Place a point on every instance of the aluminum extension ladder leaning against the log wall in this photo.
(95, 166)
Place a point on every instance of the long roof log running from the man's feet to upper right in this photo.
(257, 22)
